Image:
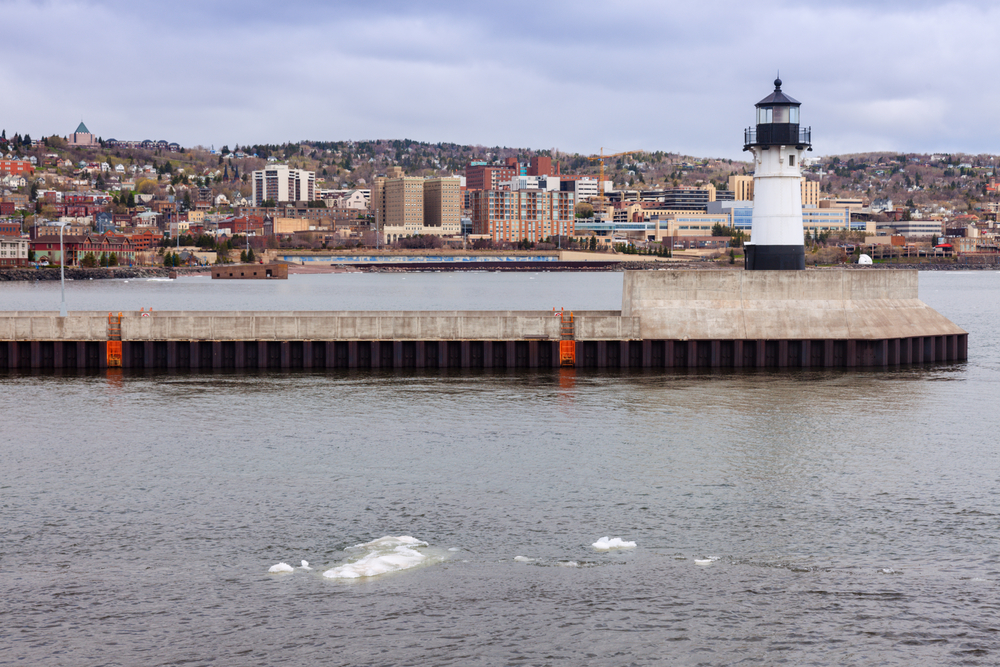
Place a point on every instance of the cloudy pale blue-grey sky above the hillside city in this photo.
(576, 76)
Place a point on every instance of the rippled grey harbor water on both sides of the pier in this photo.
(801, 517)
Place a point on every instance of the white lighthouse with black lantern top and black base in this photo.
(777, 144)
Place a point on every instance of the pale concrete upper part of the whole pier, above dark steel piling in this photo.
(656, 305)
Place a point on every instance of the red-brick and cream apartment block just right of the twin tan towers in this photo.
(514, 215)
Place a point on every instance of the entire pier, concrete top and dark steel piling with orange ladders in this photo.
(669, 319)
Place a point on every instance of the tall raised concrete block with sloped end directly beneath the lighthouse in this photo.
(780, 305)
